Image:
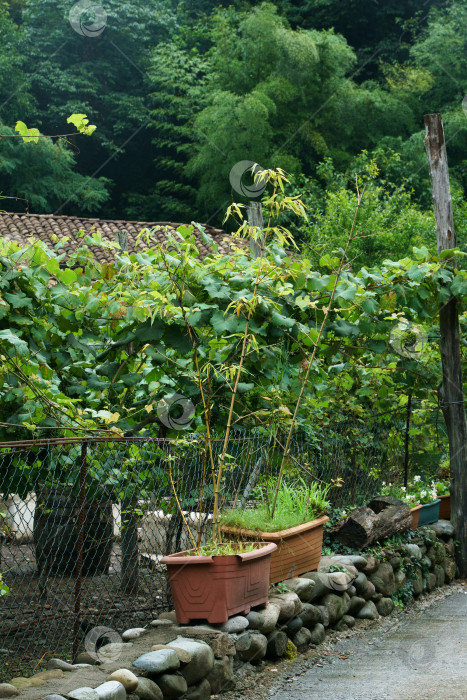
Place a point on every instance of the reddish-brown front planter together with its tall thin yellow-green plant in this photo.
(205, 583)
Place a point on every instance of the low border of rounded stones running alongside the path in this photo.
(168, 660)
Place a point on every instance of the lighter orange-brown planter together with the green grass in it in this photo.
(295, 525)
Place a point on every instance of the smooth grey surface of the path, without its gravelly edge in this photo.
(422, 659)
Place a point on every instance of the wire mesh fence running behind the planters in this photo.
(84, 524)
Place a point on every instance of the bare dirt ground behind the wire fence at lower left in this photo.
(36, 623)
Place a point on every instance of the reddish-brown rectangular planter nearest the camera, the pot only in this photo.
(214, 588)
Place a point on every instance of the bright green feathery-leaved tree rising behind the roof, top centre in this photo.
(284, 98)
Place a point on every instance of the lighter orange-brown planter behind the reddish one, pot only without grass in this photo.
(298, 548)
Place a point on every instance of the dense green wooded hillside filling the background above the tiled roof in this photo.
(198, 86)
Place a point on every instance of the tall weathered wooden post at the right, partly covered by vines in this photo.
(451, 394)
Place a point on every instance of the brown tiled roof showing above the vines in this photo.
(21, 227)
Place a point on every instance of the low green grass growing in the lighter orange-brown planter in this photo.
(297, 503)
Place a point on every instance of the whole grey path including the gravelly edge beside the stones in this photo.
(419, 653)
